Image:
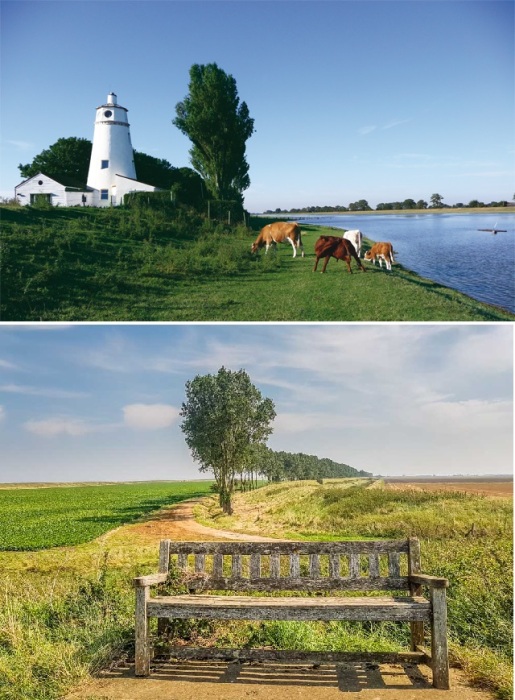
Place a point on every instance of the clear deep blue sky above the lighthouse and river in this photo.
(353, 99)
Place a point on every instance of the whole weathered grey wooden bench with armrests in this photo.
(315, 571)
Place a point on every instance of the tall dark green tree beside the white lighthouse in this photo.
(218, 126)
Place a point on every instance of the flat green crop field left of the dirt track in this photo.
(39, 518)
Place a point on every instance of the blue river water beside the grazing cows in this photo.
(446, 248)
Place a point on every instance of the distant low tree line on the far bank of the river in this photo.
(436, 202)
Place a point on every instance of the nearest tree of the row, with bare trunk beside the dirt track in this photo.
(224, 418)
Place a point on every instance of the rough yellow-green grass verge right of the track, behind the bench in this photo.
(466, 538)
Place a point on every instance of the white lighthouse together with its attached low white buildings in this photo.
(111, 174)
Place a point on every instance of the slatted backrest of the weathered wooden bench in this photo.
(280, 565)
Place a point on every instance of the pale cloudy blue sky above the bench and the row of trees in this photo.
(101, 402)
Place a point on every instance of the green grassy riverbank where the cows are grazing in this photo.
(146, 265)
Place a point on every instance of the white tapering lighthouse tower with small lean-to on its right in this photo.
(111, 169)
